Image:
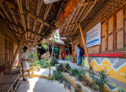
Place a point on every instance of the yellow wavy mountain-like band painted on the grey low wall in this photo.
(106, 65)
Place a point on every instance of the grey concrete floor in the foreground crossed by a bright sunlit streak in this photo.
(40, 85)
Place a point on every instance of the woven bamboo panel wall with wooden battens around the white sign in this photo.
(113, 37)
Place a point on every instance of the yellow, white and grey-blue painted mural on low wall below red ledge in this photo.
(115, 67)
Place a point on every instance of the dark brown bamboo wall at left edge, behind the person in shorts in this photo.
(7, 51)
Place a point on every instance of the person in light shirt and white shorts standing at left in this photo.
(24, 63)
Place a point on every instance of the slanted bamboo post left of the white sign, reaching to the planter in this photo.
(84, 43)
